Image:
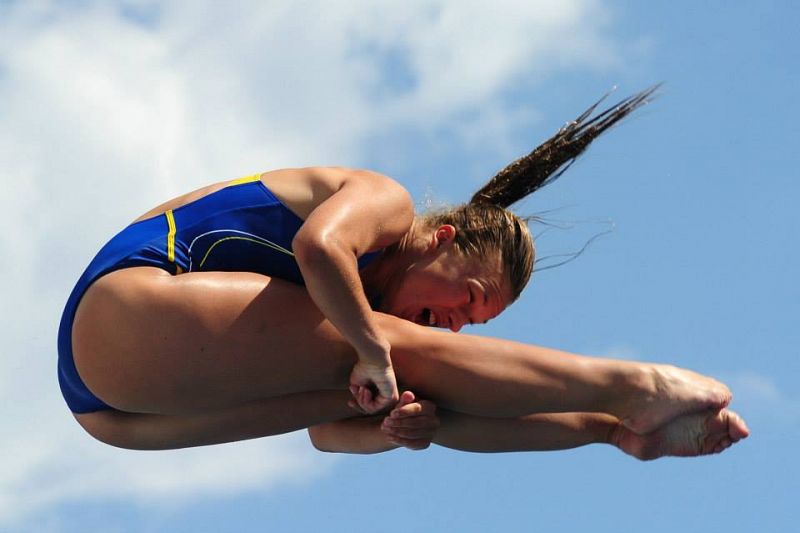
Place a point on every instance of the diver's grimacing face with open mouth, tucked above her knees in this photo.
(450, 290)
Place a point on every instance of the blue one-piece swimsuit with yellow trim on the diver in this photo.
(240, 228)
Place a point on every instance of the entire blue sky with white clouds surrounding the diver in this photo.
(107, 109)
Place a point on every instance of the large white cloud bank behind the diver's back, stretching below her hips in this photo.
(106, 114)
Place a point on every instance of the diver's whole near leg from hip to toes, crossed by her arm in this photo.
(196, 343)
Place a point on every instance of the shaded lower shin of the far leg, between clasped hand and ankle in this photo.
(539, 432)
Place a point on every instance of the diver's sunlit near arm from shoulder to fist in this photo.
(367, 211)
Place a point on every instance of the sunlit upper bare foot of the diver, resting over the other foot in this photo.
(671, 392)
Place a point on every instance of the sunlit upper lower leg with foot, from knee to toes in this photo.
(498, 378)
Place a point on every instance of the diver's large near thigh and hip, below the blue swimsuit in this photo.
(145, 341)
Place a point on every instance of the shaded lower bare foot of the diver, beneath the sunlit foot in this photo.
(686, 436)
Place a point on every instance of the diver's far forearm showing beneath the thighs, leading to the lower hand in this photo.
(361, 435)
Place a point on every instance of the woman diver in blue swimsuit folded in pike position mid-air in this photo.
(248, 308)
